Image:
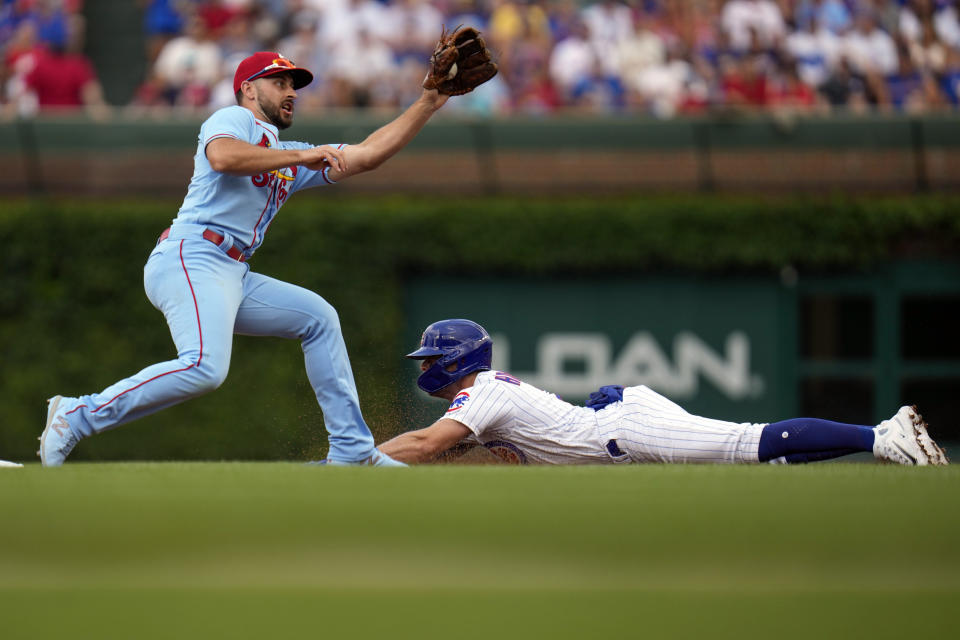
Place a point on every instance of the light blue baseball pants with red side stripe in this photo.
(206, 297)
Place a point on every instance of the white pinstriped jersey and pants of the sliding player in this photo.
(523, 424)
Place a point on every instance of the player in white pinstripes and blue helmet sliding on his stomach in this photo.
(523, 424)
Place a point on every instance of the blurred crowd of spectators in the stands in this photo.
(657, 57)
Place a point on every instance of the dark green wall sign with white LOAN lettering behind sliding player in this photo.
(715, 346)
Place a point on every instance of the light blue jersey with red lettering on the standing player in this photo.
(242, 207)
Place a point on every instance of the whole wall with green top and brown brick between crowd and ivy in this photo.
(515, 156)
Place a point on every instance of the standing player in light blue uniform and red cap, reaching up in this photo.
(199, 276)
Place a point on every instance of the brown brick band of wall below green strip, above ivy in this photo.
(166, 173)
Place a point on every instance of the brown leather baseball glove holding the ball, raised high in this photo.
(460, 63)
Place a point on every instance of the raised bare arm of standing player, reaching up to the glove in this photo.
(386, 141)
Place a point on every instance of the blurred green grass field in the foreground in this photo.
(238, 550)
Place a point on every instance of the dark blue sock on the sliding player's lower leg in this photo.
(809, 439)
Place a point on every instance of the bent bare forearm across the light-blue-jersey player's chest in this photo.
(239, 158)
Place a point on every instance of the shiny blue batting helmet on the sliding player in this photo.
(462, 345)
